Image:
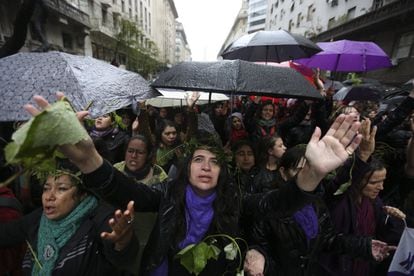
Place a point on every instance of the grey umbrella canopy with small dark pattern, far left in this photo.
(84, 80)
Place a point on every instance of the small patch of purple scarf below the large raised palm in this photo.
(308, 221)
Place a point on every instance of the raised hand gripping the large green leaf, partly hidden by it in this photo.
(82, 154)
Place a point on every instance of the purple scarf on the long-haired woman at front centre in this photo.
(199, 213)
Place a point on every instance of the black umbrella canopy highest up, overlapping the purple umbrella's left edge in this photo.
(275, 46)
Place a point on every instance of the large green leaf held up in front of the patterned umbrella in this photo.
(35, 144)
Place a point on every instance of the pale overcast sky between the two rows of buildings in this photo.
(207, 24)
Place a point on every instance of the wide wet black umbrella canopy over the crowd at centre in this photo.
(237, 77)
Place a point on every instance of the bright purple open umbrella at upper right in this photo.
(348, 56)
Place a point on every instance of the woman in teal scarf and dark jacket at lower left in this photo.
(73, 233)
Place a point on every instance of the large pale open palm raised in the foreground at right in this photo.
(326, 154)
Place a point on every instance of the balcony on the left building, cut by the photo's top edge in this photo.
(63, 8)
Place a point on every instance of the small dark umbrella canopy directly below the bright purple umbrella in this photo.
(358, 93)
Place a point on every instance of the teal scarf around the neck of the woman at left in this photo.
(54, 234)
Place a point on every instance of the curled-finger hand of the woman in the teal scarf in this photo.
(121, 225)
